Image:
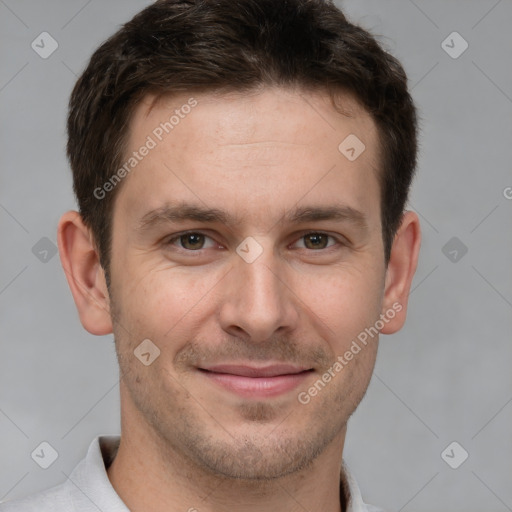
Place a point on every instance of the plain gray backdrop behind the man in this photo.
(445, 377)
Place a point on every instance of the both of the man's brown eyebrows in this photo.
(184, 211)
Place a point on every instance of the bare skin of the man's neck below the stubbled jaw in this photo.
(146, 480)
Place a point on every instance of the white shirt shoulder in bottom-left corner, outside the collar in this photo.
(55, 499)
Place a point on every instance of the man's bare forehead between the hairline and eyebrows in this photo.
(273, 147)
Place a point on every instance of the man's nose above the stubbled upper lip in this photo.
(259, 299)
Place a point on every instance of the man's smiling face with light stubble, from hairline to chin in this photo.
(211, 306)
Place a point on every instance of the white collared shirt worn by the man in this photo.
(88, 488)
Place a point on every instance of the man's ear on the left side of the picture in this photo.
(84, 273)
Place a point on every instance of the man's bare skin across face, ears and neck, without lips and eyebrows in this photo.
(187, 442)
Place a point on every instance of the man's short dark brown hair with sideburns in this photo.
(175, 46)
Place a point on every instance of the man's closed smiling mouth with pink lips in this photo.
(257, 382)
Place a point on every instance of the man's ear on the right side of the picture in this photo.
(400, 272)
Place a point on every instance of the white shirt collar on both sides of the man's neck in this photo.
(90, 478)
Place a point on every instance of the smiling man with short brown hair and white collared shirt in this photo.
(241, 170)
